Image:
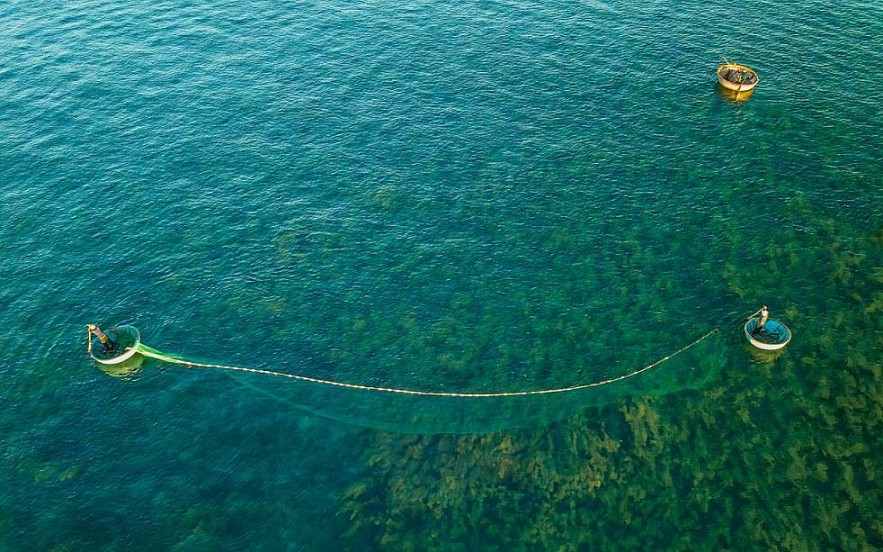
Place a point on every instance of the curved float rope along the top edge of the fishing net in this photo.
(148, 352)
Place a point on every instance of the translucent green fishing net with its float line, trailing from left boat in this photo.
(425, 411)
